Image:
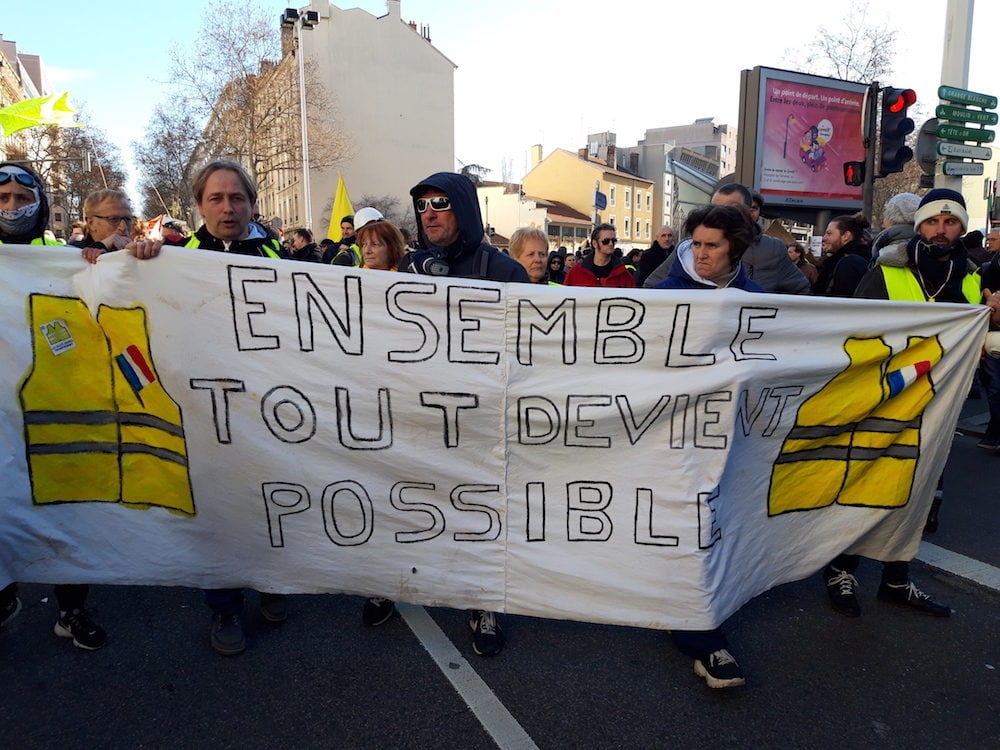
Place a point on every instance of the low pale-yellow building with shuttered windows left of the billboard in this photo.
(574, 180)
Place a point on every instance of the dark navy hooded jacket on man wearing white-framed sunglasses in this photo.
(469, 256)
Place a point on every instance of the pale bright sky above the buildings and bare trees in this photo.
(529, 71)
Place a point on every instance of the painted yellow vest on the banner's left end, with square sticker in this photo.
(99, 426)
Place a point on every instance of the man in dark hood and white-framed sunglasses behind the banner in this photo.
(450, 231)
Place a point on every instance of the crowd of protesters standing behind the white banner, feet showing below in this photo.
(919, 256)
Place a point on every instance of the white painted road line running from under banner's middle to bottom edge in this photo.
(492, 714)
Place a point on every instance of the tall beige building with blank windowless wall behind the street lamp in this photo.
(393, 104)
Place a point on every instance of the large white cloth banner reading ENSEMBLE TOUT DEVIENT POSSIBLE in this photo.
(643, 457)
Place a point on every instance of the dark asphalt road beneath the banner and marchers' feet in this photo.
(889, 679)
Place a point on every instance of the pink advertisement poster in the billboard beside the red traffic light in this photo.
(807, 128)
